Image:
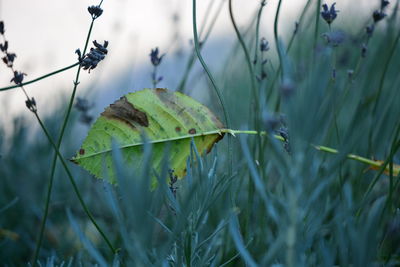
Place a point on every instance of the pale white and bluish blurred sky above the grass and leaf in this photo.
(44, 34)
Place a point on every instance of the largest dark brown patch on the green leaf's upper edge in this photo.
(124, 111)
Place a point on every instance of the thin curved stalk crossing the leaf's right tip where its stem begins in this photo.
(213, 82)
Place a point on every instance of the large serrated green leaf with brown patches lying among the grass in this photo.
(164, 117)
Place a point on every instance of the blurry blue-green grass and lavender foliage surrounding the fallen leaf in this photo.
(253, 200)
